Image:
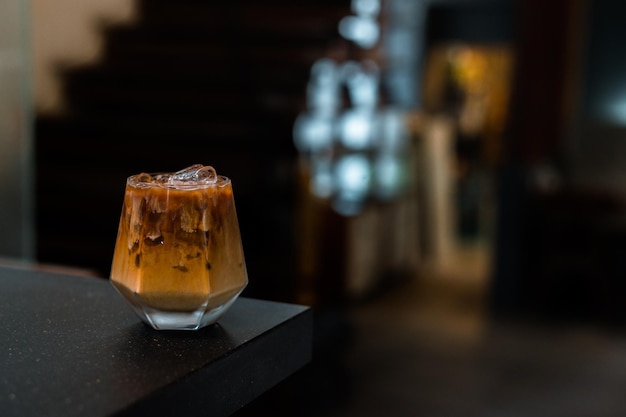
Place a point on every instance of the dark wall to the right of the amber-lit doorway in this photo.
(560, 232)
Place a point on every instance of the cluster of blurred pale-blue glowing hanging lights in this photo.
(353, 153)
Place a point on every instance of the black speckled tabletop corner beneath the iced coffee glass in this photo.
(70, 346)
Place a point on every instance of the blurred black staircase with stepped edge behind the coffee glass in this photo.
(191, 81)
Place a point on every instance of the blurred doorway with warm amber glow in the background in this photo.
(467, 78)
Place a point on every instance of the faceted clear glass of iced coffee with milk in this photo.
(178, 257)
